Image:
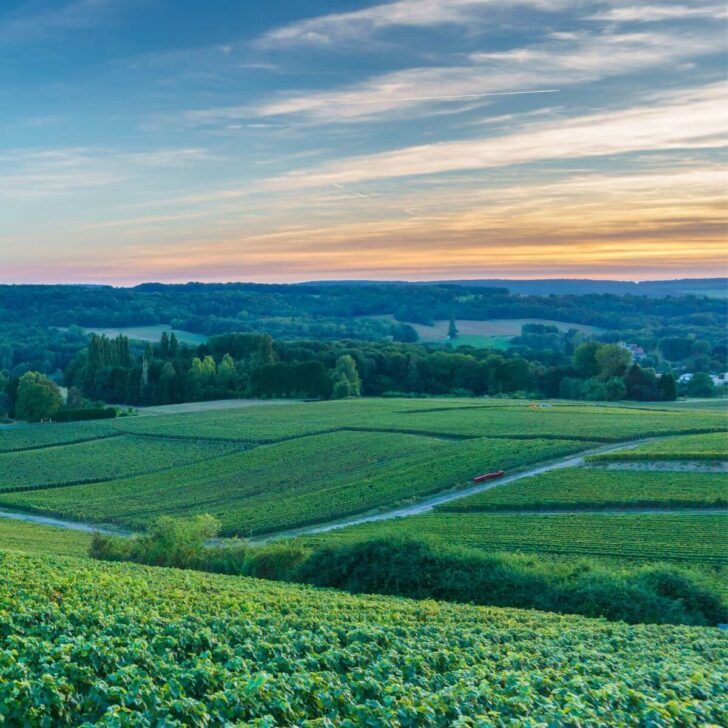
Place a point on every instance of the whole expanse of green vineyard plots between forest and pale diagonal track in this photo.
(263, 469)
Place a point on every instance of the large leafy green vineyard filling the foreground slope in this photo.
(117, 644)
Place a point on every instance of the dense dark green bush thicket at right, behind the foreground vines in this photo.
(422, 570)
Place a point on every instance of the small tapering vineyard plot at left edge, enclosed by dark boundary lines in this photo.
(97, 460)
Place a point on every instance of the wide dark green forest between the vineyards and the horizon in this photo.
(339, 340)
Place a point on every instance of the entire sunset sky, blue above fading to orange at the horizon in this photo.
(178, 140)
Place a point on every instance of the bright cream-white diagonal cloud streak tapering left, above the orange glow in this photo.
(689, 119)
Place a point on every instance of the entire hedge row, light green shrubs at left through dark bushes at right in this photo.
(422, 569)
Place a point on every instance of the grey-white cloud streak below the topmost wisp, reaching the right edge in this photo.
(561, 60)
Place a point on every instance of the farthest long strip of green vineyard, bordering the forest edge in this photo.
(448, 418)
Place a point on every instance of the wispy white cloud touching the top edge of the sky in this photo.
(330, 29)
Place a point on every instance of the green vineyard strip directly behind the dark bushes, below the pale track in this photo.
(698, 538)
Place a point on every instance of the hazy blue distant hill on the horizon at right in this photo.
(712, 287)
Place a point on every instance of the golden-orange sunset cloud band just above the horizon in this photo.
(602, 224)
